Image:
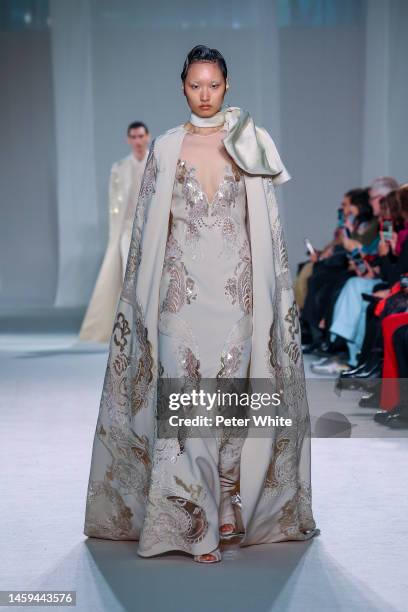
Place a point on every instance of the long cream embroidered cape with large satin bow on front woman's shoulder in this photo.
(275, 471)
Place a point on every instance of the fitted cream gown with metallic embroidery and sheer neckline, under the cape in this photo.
(205, 330)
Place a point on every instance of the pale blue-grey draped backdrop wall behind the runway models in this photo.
(325, 77)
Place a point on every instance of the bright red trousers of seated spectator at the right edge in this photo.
(390, 386)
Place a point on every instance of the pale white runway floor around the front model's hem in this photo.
(50, 390)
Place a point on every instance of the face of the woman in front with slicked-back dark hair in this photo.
(204, 88)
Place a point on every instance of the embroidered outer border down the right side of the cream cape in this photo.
(289, 466)
